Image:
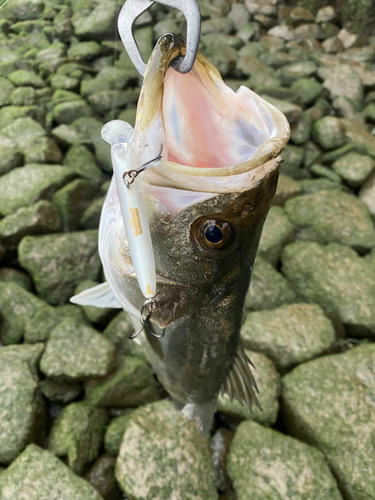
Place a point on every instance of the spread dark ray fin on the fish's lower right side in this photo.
(240, 383)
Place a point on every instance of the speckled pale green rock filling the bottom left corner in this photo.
(36, 472)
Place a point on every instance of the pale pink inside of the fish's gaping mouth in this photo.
(211, 126)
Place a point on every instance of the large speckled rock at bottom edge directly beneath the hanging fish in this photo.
(157, 433)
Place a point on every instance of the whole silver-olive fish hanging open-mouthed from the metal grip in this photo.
(206, 199)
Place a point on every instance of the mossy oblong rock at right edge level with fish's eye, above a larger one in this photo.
(332, 217)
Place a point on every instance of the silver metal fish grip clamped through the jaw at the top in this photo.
(134, 8)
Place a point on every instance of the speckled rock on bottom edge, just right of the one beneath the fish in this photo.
(273, 465)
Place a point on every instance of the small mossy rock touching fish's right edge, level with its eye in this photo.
(277, 232)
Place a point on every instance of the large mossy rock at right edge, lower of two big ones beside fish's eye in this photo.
(337, 279)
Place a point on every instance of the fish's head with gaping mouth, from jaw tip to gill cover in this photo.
(208, 193)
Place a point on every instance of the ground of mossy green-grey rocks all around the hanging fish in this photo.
(81, 413)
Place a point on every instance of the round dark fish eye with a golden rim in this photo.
(212, 234)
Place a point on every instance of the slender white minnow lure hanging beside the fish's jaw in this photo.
(118, 133)
